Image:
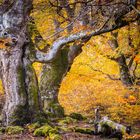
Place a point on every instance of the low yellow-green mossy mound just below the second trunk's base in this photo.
(67, 120)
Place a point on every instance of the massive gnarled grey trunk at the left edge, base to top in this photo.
(18, 77)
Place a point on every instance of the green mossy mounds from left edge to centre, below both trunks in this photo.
(51, 130)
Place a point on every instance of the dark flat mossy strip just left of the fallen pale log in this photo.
(84, 130)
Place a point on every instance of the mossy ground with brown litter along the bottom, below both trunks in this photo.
(68, 129)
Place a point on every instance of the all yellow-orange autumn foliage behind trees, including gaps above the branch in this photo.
(93, 78)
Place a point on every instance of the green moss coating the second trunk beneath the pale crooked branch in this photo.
(50, 82)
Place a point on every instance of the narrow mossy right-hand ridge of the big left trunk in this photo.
(31, 84)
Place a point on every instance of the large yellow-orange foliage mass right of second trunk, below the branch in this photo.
(94, 81)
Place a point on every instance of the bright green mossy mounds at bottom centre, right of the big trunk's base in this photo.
(54, 130)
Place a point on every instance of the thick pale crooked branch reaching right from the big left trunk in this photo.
(57, 45)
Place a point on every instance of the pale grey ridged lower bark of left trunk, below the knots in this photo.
(13, 82)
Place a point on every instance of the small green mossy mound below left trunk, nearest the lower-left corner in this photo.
(11, 130)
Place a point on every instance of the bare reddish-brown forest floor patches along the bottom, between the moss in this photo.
(67, 135)
